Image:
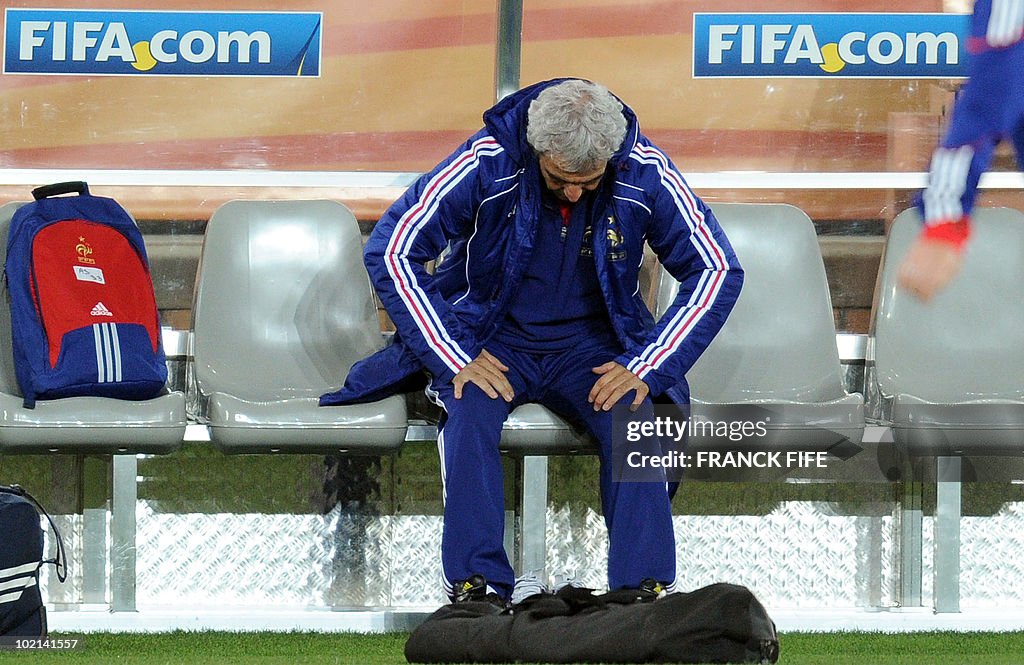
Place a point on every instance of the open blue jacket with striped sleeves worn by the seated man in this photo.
(479, 210)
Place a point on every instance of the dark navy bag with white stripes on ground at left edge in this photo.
(22, 610)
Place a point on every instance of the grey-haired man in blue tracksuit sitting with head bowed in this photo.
(538, 225)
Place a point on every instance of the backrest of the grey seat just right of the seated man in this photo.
(780, 342)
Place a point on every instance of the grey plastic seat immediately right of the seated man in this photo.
(777, 355)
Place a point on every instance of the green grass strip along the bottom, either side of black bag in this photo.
(301, 649)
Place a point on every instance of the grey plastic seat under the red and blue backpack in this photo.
(101, 426)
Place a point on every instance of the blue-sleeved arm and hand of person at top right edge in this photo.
(990, 109)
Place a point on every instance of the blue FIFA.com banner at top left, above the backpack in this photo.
(168, 44)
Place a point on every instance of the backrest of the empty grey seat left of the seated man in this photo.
(283, 305)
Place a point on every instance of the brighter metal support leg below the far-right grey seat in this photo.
(948, 537)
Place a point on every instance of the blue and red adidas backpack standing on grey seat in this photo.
(83, 311)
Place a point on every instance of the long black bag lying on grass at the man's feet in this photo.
(720, 624)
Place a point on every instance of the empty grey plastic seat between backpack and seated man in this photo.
(283, 310)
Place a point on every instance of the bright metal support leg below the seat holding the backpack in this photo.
(125, 493)
